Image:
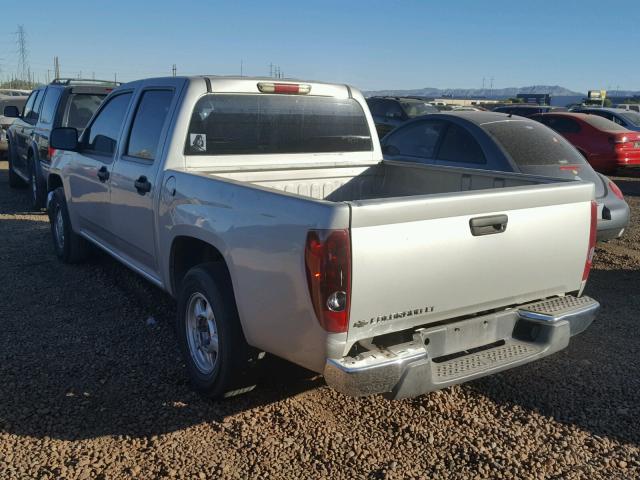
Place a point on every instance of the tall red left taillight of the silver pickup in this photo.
(328, 264)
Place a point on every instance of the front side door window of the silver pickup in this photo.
(102, 136)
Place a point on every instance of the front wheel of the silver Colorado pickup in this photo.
(68, 245)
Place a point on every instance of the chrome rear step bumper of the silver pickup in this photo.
(445, 355)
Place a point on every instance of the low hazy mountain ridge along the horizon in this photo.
(553, 90)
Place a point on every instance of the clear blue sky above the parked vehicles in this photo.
(370, 44)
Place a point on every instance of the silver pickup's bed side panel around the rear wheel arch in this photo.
(261, 234)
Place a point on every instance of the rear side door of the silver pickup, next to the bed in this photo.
(133, 180)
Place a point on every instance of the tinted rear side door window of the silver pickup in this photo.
(148, 122)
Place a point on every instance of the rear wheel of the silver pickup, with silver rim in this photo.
(207, 309)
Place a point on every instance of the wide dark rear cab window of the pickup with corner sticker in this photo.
(261, 124)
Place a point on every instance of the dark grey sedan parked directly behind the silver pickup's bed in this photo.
(494, 141)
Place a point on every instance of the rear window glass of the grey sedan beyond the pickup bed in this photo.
(531, 143)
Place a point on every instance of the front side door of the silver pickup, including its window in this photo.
(89, 175)
